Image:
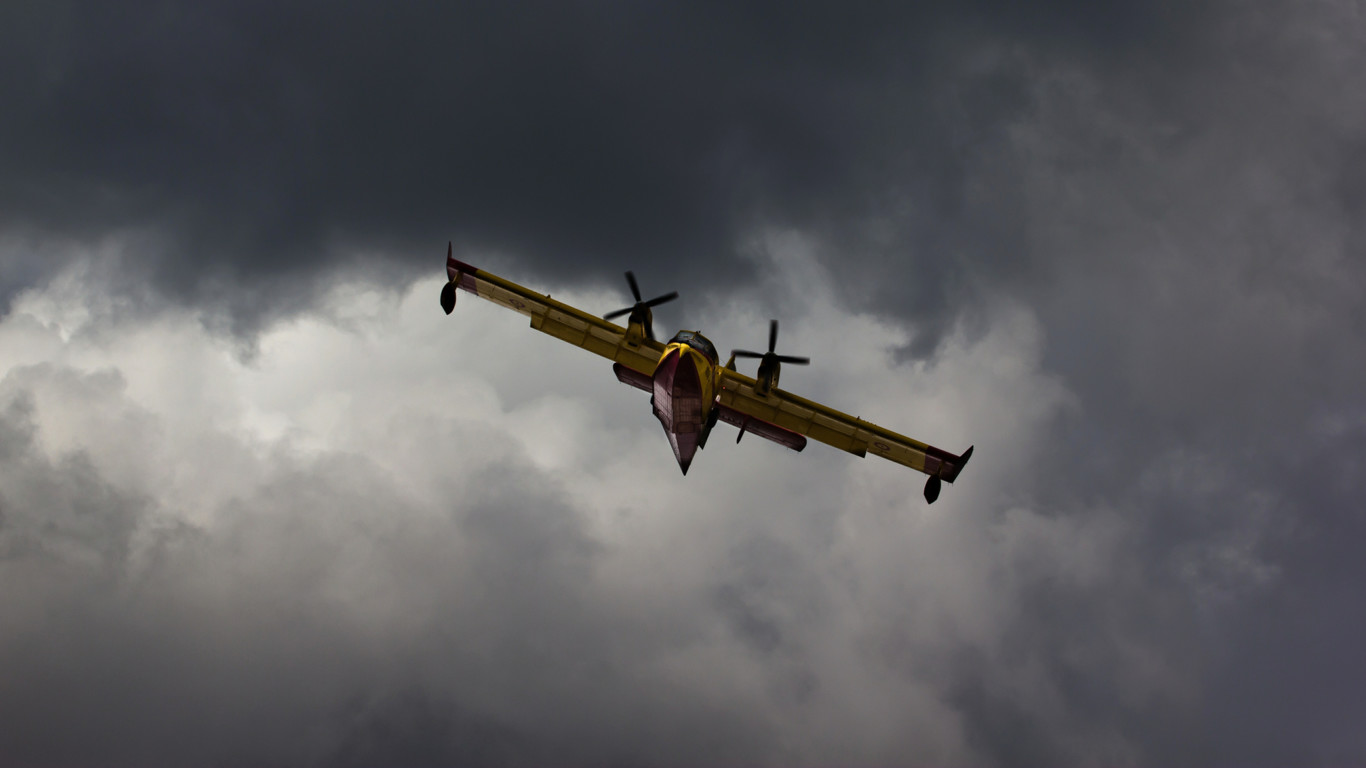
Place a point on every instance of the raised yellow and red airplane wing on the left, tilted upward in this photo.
(553, 318)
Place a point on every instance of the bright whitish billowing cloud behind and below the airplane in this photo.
(387, 498)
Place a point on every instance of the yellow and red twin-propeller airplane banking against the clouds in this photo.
(692, 392)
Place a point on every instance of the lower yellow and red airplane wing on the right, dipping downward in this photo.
(839, 430)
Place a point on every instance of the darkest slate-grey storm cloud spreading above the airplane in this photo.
(267, 143)
